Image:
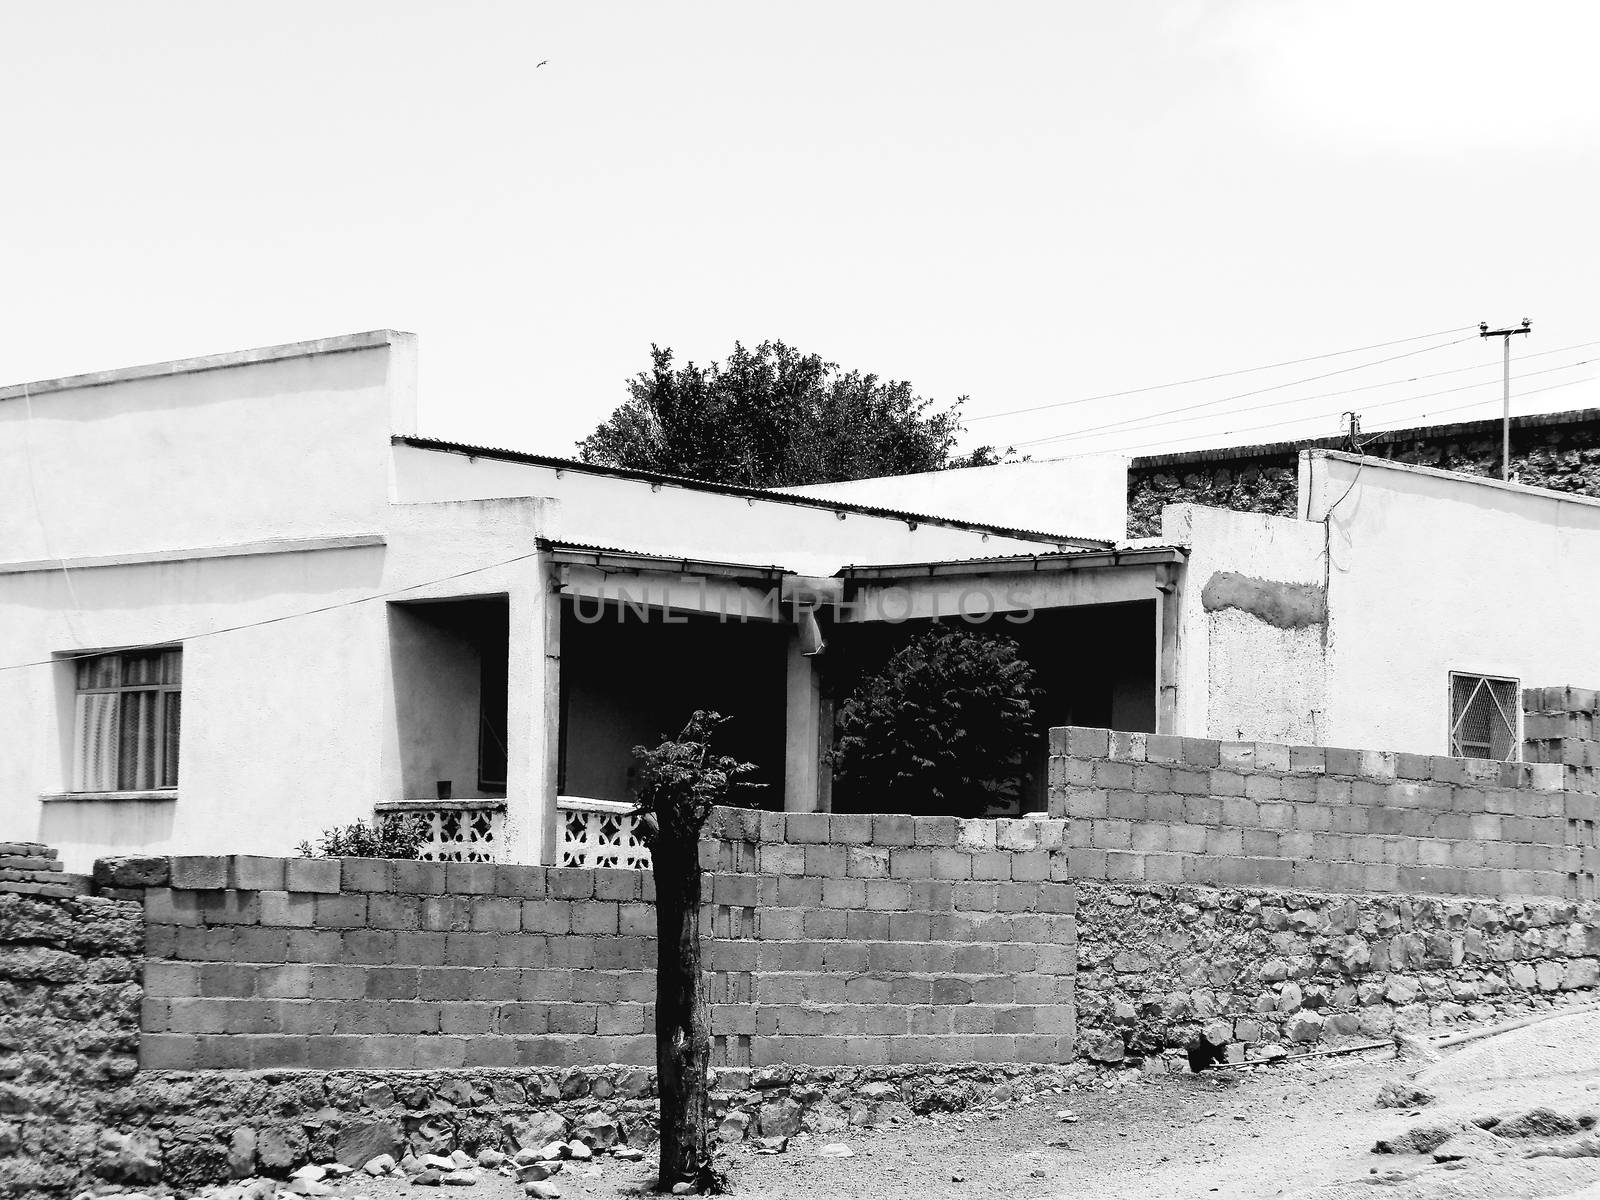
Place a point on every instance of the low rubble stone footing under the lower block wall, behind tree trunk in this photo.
(210, 1127)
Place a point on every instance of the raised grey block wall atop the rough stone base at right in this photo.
(1151, 809)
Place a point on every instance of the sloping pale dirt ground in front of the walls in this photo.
(1300, 1130)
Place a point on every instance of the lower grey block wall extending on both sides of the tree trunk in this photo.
(831, 940)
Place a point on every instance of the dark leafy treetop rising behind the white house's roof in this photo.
(772, 418)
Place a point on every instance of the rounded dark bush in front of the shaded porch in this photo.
(945, 722)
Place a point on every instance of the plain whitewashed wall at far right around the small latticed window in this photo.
(1434, 572)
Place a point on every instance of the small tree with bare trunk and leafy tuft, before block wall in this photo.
(679, 783)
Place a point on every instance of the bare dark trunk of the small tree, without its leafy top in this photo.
(682, 1015)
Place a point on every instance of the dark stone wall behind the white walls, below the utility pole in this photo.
(1561, 450)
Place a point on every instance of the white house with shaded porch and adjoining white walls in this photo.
(242, 601)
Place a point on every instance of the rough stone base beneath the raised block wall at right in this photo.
(1263, 972)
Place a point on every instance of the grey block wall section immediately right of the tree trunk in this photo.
(879, 940)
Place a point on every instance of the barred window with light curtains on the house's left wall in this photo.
(126, 721)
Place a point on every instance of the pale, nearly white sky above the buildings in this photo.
(1033, 206)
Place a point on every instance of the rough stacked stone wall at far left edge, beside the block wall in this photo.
(70, 1026)
